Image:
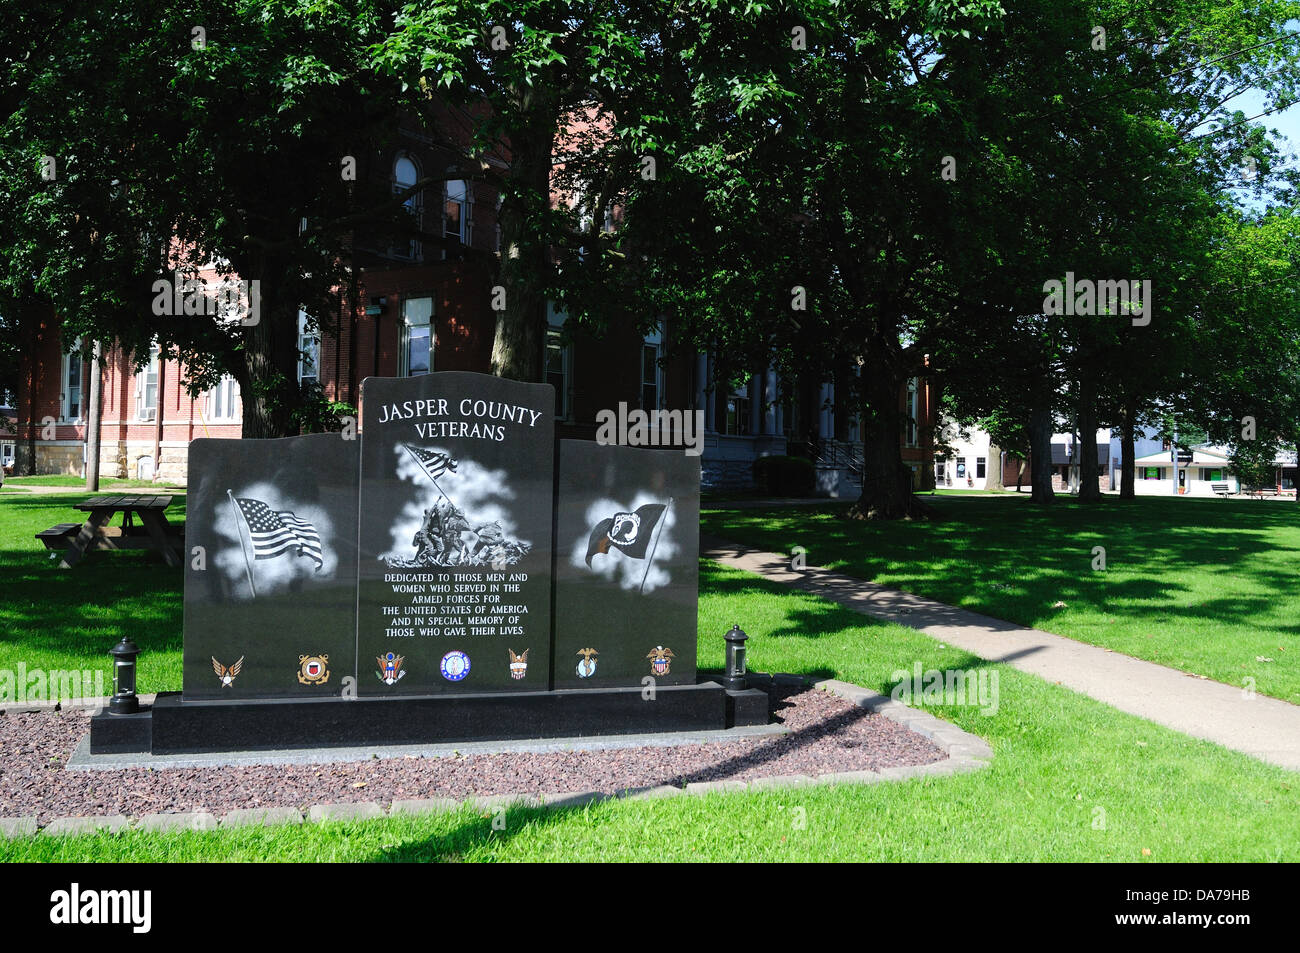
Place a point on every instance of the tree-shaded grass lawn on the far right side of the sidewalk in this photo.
(1204, 586)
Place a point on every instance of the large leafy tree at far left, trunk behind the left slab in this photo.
(187, 135)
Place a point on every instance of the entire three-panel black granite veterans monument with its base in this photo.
(449, 575)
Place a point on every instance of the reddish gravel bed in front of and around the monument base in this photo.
(827, 735)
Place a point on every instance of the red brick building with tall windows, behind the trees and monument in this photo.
(419, 309)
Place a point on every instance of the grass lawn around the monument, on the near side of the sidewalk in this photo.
(1064, 764)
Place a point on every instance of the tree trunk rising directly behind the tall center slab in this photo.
(521, 336)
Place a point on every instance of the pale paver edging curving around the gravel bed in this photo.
(965, 752)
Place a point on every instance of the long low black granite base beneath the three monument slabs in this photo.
(177, 727)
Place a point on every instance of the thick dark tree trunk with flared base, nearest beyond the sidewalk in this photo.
(886, 480)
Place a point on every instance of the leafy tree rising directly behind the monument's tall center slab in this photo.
(562, 90)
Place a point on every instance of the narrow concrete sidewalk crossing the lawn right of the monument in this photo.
(1263, 727)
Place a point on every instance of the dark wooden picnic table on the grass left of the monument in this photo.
(153, 534)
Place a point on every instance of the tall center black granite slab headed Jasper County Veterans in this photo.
(456, 535)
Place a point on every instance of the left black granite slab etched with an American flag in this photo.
(271, 569)
